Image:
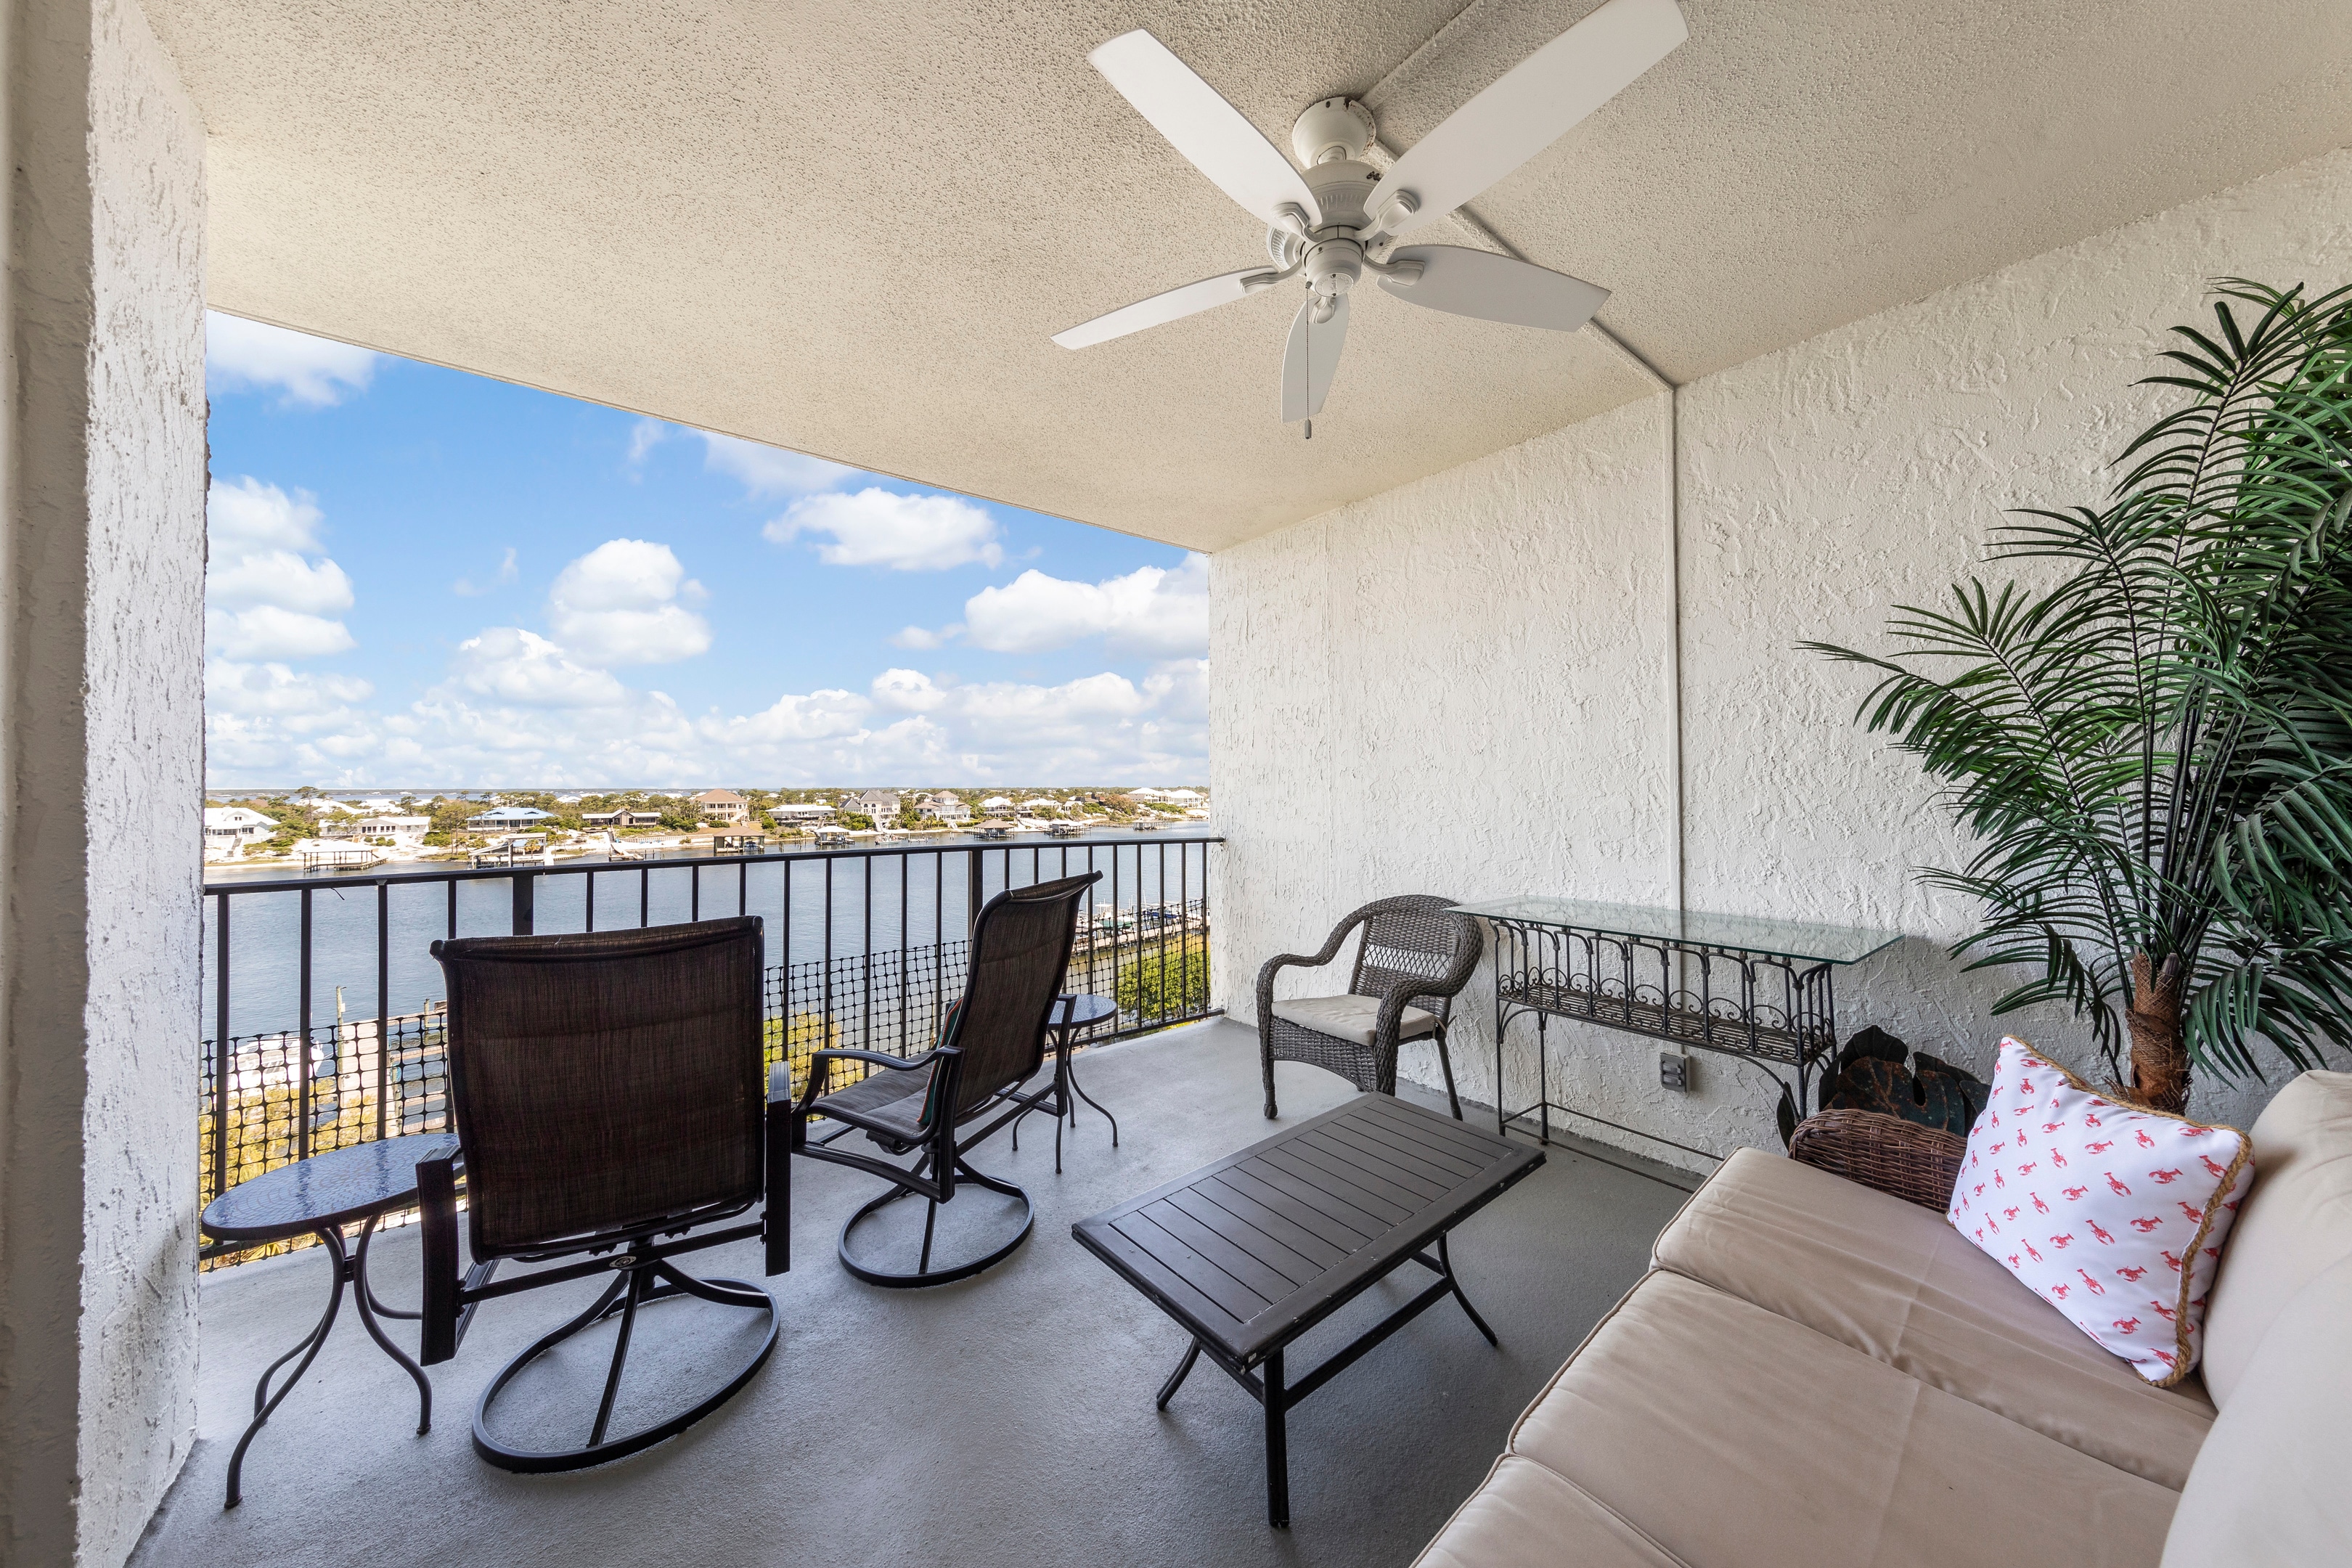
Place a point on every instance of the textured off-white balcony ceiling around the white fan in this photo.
(850, 229)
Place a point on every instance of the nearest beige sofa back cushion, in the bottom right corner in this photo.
(2271, 1487)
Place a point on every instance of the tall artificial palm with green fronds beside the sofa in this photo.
(2156, 751)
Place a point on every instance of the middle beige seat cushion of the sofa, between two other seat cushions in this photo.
(1742, 1440)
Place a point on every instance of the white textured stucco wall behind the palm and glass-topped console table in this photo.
(1464, 685)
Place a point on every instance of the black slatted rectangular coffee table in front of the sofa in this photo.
(1264, 1245)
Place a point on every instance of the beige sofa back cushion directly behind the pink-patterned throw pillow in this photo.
(2292, 1226)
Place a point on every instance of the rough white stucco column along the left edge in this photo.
(102, 565)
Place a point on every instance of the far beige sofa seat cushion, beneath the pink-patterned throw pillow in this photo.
(1899, 1285)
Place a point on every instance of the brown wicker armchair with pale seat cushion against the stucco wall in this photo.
(1412, 963)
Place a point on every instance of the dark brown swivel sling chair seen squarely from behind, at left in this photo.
(610, 1106)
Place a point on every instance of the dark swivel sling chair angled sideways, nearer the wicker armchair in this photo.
(991, 1043)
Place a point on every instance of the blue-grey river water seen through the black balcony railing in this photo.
(841, 909)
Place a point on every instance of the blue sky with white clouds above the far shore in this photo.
(425, 577)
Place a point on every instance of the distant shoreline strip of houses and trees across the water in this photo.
(314, 826)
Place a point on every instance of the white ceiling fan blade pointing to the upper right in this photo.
(1530, 107)
